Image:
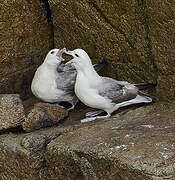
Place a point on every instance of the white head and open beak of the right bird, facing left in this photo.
(80, 59)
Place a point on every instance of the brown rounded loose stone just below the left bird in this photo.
(43, 115)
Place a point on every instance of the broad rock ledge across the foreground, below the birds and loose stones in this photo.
(136, 143)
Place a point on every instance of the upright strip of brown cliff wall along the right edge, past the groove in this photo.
(161, 24)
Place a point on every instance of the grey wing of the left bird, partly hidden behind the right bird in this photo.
(66, 81)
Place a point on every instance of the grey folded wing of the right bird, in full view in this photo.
(113, 90)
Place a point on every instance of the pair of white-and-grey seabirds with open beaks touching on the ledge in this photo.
(55, 82)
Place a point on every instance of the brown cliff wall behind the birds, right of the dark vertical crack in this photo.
(136, 36)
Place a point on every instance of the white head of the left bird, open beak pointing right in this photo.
(54, 57)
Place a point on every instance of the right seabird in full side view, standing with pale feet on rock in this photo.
(100, 92)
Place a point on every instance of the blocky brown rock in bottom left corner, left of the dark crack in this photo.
(22, 155)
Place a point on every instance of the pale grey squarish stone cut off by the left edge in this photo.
(11, 111)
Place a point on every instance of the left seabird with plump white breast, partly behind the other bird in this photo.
(54, 81)
